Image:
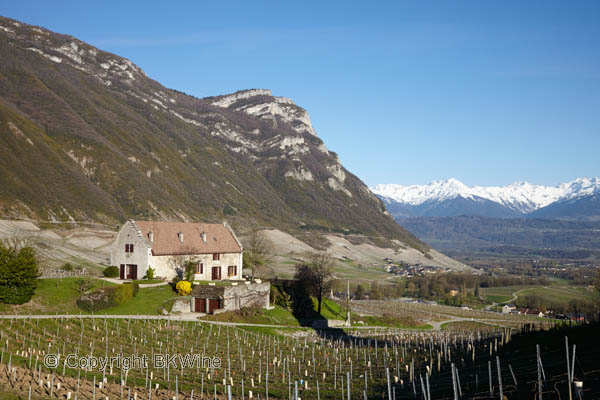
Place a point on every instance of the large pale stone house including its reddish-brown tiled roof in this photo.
(167, 247)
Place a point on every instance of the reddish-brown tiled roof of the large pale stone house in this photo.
(219, 238)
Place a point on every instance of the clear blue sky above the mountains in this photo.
(405, 92)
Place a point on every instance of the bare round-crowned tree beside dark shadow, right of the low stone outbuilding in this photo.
(316, 274)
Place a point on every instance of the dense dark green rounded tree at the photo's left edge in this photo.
(18, 273)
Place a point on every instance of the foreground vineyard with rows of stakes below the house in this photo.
(280, 363)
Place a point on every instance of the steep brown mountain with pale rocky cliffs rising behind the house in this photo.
(86, 135)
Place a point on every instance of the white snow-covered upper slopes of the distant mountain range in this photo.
(523, 197)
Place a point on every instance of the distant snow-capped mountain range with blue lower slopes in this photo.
(577, 199)
